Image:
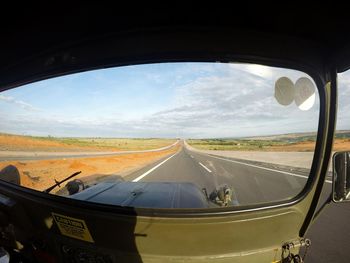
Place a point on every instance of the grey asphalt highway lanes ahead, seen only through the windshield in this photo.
(252, 184)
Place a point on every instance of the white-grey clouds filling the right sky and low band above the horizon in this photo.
(221, 101)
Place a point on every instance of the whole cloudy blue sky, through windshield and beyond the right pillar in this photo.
(189, 100)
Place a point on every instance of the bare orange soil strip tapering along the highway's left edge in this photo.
(41, 174)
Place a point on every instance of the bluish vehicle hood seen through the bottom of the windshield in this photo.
(146, 194)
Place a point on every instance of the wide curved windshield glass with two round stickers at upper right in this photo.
(169, 135)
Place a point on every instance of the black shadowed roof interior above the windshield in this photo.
(35, 36)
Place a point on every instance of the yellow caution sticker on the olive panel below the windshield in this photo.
(72, 227)
